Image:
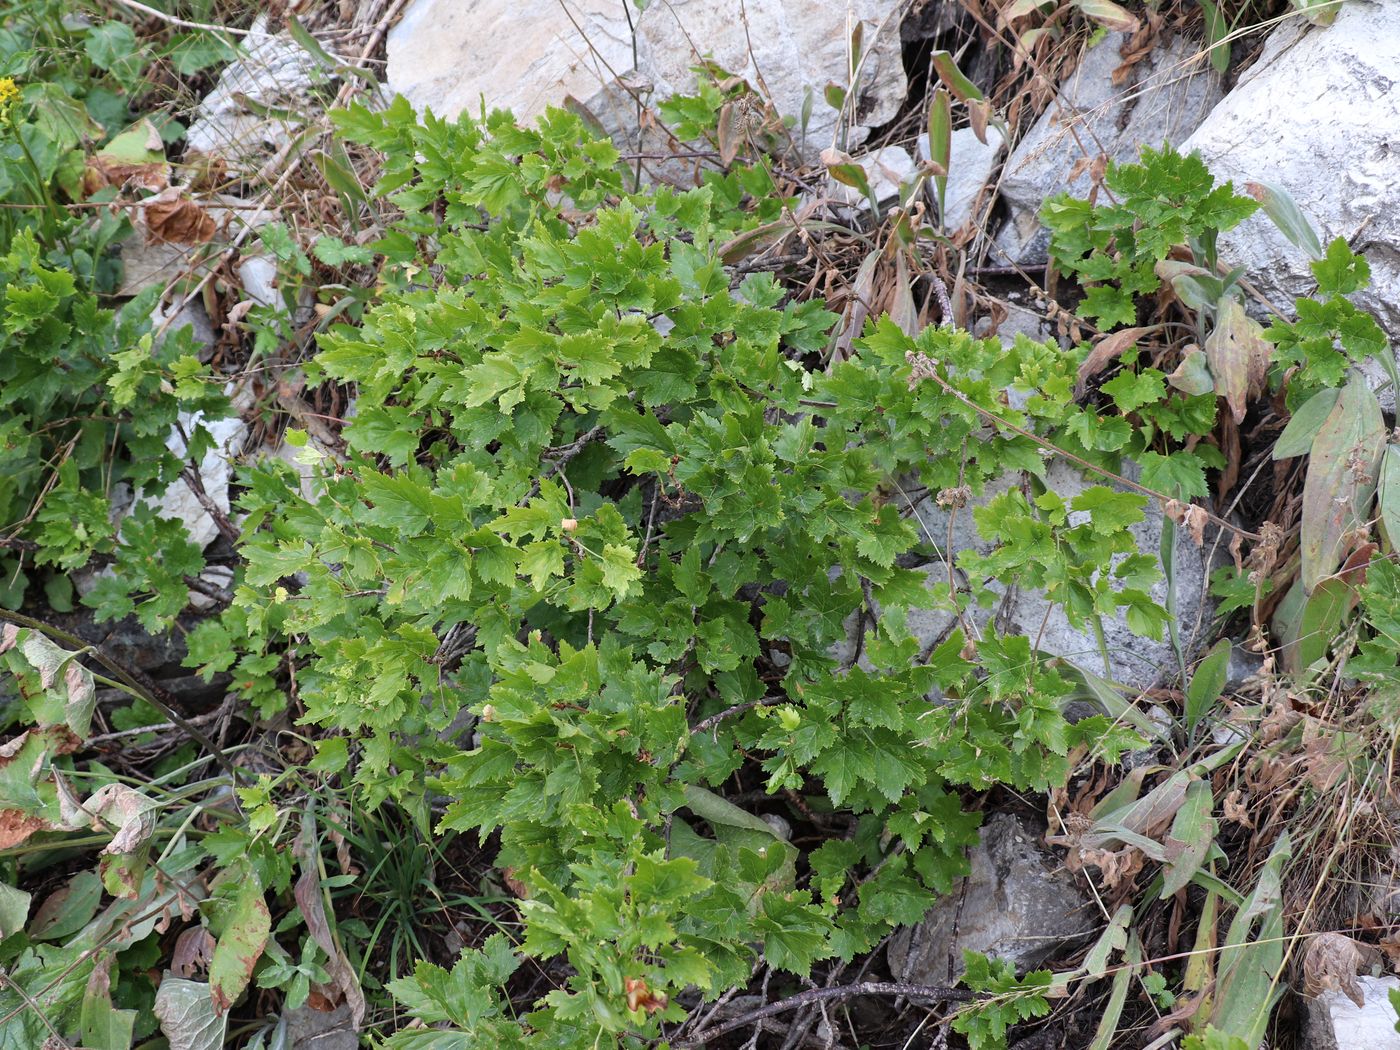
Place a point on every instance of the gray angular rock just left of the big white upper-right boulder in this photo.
(1165, 99)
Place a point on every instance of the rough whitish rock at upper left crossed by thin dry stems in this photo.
(275, 73)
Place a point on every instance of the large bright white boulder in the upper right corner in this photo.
(1318, 115)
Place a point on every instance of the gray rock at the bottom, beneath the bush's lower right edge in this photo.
(1018, 905)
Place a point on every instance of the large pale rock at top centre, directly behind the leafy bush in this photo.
(527, 55)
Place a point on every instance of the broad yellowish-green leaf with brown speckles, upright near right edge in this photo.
(1342, 479)
